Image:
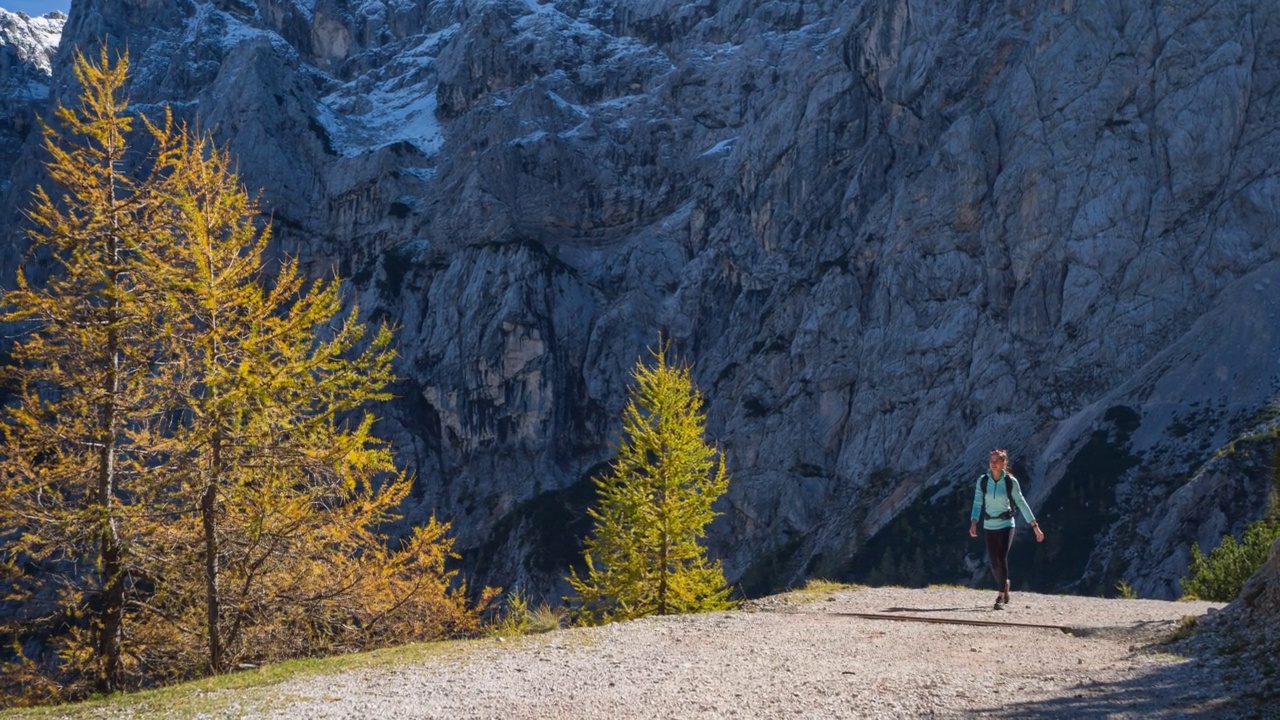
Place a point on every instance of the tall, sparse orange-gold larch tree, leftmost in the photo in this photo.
(76, 491)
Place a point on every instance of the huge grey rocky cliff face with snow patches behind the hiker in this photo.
(889, 234)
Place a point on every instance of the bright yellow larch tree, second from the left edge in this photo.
(275, 448)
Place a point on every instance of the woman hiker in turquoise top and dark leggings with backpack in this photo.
(995, 496)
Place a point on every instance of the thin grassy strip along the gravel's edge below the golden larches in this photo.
(235, 694)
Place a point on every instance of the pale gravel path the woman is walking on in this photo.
(784, 659)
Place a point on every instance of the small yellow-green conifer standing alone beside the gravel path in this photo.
(644, 557)
